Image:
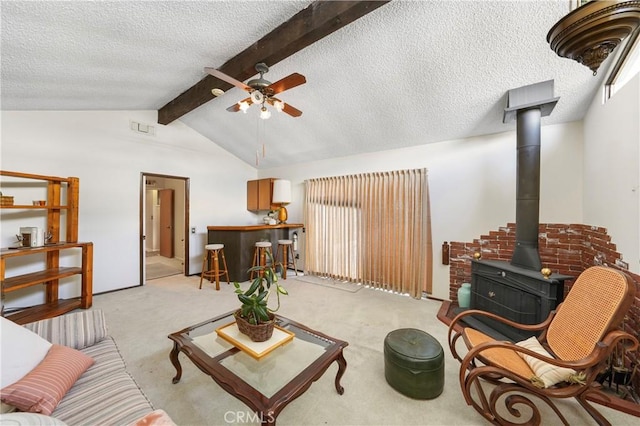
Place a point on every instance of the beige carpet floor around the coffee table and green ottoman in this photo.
(141, 318)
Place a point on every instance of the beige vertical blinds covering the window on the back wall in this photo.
(372, 228)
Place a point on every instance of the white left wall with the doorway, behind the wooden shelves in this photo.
(100, 149)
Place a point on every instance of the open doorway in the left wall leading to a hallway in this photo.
(164, 224)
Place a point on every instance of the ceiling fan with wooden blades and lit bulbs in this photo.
(262, 91)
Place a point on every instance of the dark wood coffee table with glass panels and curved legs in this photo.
(266, 384)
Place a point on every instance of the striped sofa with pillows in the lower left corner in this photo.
(101, 390)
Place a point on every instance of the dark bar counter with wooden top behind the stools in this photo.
(239, 243)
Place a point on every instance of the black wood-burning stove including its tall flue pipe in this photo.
(518, 290)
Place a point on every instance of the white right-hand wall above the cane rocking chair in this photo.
(612, 169)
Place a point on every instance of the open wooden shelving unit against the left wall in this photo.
(53, 272)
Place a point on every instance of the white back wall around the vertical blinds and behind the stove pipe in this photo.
(471, 181)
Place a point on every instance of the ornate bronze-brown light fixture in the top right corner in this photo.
(591, 32)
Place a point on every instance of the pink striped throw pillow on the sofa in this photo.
(42, 388)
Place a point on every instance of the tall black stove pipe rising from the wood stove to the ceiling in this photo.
(528, 104)
